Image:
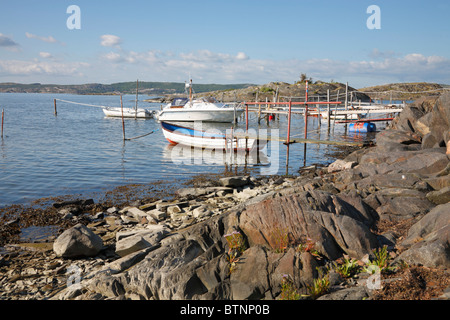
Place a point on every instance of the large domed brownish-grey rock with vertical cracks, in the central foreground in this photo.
(334, 225)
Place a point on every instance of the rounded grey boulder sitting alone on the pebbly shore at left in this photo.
(78, 241)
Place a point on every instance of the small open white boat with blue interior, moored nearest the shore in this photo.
(176, 134)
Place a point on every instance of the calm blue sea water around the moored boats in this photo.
(80, 151)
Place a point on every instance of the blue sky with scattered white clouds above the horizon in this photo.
(212, 41)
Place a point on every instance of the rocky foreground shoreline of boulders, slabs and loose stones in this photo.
(374, 225)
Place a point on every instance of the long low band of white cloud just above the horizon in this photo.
(209, 66)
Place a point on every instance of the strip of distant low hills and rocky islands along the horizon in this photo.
(165, 91)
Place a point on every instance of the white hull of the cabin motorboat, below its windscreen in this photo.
(207, 115)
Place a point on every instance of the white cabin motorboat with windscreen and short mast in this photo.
(201, 109)
